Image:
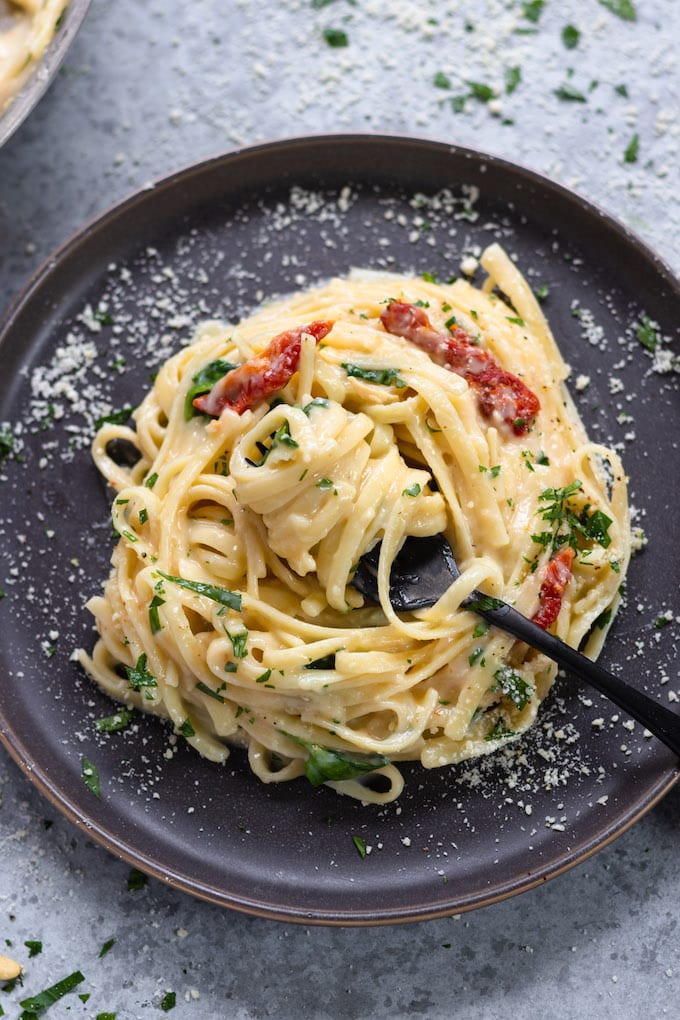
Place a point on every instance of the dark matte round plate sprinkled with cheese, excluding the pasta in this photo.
(214, 240)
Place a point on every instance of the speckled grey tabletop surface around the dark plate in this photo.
(148, 88)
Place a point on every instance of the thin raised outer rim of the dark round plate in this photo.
(100, 832)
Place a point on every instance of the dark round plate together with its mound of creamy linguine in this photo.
(301, 354)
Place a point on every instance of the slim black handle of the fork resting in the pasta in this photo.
(660, 721)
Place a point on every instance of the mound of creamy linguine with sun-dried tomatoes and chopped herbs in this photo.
(275, 454)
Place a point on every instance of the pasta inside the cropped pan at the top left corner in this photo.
(26, 30)
